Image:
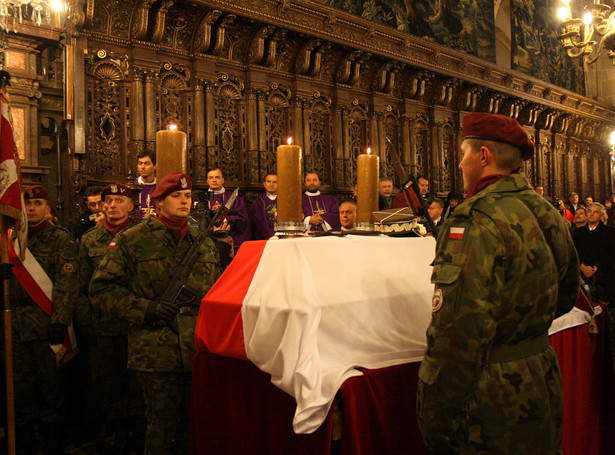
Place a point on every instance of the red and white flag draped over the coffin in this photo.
(309, 311)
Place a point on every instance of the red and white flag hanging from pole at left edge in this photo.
(11, 196)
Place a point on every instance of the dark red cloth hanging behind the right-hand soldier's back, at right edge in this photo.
(586, 365)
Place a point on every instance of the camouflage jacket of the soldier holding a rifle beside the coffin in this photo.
(137, 269)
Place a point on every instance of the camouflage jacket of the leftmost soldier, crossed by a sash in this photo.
(55, 252)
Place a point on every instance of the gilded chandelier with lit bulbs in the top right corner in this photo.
(587, 36)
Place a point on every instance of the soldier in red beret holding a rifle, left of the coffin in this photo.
(130, 279)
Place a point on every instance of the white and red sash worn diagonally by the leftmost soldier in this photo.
(39, 287)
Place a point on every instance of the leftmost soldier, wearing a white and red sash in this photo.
(37, 324)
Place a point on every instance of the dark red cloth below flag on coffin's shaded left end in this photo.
(236, 410)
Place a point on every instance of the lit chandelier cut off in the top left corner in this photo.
(37, 11)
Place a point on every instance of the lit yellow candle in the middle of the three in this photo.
(289, 183)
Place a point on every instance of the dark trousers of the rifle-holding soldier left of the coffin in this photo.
(167, 409)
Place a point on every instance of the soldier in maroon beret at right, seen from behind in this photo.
(505, 267)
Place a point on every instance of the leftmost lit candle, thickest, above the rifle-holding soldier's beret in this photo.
(171, 152)
